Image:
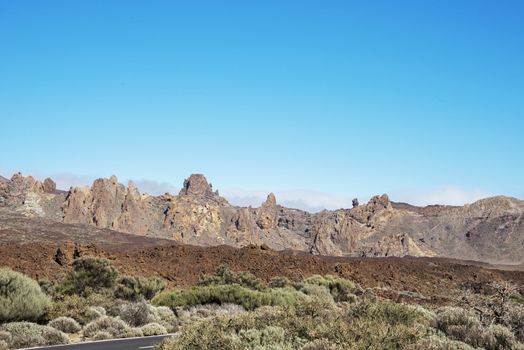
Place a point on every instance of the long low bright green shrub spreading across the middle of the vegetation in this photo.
(219, 294)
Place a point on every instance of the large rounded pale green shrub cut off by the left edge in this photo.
(21, 298)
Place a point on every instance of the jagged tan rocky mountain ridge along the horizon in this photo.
(490, 230)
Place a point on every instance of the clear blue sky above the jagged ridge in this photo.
(318, 101)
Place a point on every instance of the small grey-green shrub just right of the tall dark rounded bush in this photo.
(137, 288)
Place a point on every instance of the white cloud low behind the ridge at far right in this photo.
(450, 195)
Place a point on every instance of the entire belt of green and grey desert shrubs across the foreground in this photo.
(236, 310)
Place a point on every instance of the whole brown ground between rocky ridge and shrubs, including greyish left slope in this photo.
(45, 249)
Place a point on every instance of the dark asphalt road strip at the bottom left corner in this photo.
(143, 343)
